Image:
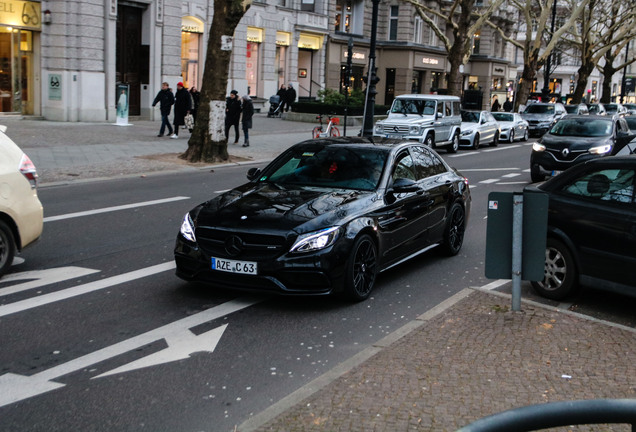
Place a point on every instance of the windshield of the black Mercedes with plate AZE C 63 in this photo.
(333, 166)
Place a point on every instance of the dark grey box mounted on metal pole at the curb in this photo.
(499, 235)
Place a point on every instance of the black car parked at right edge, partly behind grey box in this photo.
(591, 228)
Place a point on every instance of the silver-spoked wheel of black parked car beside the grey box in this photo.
(560, 272)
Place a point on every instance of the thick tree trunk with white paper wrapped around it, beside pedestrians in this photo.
(207, 142)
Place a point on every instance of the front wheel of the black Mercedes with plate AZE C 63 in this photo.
(362, 268)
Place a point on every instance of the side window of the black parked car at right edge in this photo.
(616, 185)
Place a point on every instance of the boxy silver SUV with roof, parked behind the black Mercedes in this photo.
(430, 119)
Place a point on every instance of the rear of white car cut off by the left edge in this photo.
(21, 215)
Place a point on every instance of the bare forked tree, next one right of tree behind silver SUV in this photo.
(534, 15)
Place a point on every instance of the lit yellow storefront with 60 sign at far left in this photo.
(20, 25)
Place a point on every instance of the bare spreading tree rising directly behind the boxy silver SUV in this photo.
(462, 18)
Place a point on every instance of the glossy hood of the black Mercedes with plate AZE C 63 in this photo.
(273, 208)
